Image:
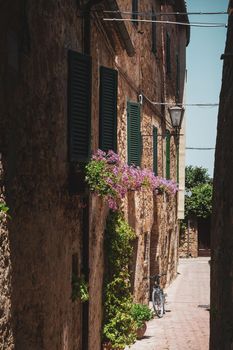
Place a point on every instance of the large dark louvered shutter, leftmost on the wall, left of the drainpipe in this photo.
(79, 106)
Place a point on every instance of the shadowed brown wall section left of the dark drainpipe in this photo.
(44, 231)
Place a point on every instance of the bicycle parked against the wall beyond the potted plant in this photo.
(158, 297)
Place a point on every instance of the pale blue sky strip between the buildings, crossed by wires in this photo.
(204, 74)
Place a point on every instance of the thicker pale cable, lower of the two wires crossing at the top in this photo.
(197, 24)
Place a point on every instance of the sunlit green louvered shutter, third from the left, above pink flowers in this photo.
(134, 134)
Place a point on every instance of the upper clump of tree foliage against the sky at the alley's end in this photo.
(195, 176)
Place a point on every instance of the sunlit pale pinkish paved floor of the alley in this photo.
(186, 322)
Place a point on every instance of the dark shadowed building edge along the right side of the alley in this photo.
(221, 307)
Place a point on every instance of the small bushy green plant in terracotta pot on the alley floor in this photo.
(141, 313)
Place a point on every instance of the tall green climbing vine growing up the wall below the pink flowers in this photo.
(119, 326)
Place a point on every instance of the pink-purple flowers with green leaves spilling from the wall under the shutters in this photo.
(111, 178)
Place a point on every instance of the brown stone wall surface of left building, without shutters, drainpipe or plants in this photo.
(50, 229)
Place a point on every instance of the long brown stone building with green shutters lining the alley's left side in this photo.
(70, 84)
